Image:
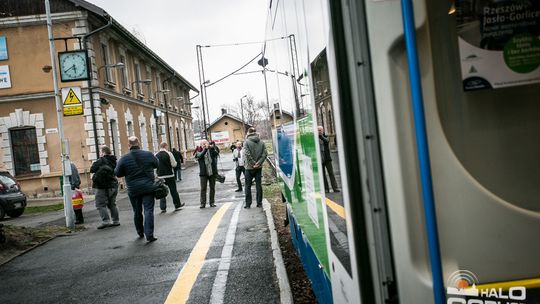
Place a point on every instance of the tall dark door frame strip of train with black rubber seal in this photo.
(370, 269)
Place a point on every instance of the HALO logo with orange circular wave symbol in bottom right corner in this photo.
(462, 288)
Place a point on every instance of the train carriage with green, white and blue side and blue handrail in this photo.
(431, 115)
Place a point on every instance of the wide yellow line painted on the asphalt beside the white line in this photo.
(188, 275)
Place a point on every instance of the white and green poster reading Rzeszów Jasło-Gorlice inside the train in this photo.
(499, 42)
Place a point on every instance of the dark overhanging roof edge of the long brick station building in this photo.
(130, 37)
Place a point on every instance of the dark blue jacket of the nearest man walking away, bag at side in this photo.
(138, 182)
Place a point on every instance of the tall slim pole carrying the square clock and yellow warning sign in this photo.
(66, 164)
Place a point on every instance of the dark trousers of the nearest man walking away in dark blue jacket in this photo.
(138, 203)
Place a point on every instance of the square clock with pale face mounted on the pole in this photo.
(73, 65)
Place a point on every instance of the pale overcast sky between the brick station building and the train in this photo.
(172, 29)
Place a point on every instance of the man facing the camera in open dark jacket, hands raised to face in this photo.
(207, 158)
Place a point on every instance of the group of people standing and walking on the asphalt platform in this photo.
(138, 166)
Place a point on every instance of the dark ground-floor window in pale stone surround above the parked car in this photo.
(25, 151)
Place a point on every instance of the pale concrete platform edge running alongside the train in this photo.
(285, 294)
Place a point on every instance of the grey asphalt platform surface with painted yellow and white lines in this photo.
(114, 266)
